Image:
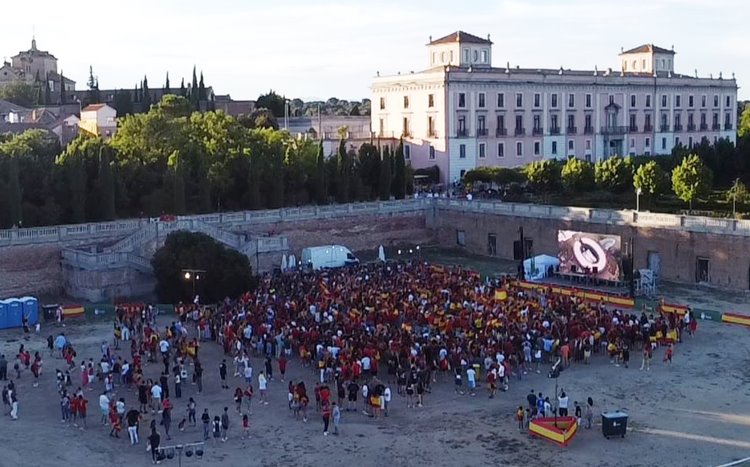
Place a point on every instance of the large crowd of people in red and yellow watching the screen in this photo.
(359, 332)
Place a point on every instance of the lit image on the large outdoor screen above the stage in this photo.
(594, 255)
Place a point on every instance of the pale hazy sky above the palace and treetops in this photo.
(316, 49)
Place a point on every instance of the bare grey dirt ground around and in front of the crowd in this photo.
(694, 413)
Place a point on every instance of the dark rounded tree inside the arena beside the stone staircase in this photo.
(227, 272)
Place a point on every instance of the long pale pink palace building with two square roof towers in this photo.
(462, 112)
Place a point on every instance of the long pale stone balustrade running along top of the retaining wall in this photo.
(220, 225)
